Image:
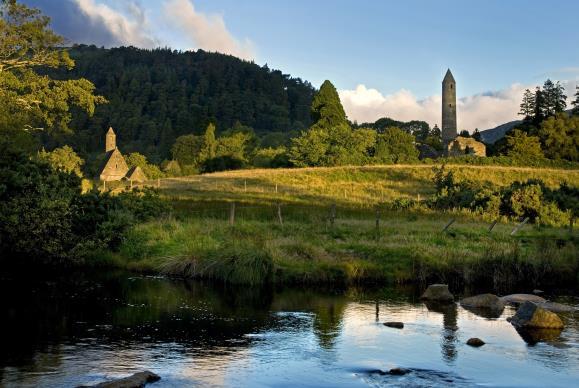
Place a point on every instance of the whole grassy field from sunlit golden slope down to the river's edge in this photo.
(198, 240)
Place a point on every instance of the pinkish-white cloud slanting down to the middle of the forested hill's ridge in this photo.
(207, 32)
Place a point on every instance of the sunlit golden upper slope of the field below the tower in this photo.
(345, 186)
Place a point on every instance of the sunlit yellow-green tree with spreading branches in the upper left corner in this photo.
(28, 99)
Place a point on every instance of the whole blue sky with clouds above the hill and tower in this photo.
(386, 58)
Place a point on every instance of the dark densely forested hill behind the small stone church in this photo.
(157, 95)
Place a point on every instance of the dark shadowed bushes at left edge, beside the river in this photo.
(45, 217)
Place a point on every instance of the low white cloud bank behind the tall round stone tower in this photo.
(483, 111)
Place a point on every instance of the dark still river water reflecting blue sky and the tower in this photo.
(73, 329)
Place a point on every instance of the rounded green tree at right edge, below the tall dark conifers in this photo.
(560, 137)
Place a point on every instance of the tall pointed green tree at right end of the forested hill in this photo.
(327, 111)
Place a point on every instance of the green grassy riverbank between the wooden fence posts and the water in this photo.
(307, 249)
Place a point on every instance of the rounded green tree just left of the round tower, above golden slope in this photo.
(395, 146)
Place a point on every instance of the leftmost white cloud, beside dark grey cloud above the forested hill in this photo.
(132, 29)
